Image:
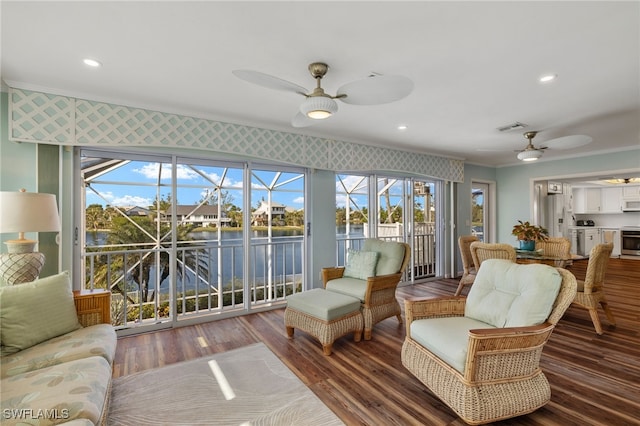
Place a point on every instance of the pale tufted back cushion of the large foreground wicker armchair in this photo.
(507, 294)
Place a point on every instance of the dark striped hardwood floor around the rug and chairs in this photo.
(595, 380)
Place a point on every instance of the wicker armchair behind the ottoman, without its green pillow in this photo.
(379, 296)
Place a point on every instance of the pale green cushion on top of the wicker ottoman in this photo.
(325, 305)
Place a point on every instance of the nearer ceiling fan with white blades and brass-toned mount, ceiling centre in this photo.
(318, 105)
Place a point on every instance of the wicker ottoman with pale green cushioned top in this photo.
(325, 315)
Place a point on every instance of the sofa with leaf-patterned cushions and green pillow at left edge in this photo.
(53, 370)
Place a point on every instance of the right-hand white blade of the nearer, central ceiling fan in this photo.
(375, 90)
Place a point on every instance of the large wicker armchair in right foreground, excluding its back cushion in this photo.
(500, 375)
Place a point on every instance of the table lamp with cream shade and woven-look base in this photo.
(25, 212)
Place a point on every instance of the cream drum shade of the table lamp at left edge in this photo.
(28, 212)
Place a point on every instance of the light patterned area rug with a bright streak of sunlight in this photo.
(245, 386)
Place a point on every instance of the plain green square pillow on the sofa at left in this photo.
(33, 312)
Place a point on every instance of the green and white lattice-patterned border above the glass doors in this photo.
(46, 118)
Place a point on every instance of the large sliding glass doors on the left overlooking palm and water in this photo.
(177, 238)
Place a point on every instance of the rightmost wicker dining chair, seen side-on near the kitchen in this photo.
(591, 290)
